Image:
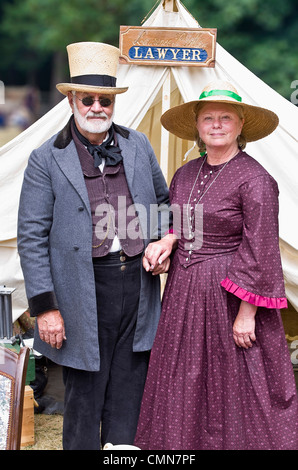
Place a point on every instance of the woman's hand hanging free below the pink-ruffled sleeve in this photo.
(244, 325)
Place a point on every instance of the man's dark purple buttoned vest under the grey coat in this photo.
(112, 207)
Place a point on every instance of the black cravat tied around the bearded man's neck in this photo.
(111, 153)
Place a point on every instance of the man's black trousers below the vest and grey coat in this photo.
(104, 406)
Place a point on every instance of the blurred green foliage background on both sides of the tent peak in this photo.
(262, 34)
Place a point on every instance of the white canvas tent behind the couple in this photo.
(152, 90)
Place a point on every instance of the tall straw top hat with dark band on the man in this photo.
(93, 68)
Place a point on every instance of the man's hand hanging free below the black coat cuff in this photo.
(51, 328)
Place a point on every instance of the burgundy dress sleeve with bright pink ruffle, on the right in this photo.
(255, 274)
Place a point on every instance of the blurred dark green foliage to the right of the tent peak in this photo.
(261, 34)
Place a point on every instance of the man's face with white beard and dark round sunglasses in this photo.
(92, 118)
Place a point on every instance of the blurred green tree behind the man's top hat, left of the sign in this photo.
(35, 31)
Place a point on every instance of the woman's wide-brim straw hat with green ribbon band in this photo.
(181, 120)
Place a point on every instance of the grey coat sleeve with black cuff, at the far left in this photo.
(34, 225)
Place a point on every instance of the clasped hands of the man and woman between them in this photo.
(156, 258)
